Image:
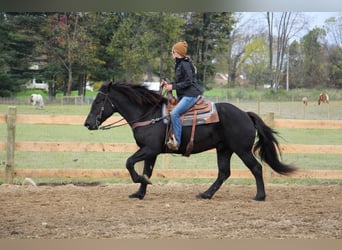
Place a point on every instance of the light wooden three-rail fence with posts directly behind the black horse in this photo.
(11, 146)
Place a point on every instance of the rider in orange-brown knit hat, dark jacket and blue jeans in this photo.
(187, 90)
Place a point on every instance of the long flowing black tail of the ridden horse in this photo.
(267, 146)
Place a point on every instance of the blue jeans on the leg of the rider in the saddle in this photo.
(184, 104)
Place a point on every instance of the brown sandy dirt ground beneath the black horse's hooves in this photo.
(170, 211)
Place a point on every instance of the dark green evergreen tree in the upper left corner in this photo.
(18, 36)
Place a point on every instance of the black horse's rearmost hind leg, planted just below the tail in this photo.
(256, 169)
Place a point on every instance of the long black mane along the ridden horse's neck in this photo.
(139, 94)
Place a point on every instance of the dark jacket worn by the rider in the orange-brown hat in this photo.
(185, 79)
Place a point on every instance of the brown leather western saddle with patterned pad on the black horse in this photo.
(202, 112)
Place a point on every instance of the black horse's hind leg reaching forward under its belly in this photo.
(223, 161)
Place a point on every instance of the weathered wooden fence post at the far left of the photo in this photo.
(10, 145)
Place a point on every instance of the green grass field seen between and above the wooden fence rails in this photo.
(25, 132)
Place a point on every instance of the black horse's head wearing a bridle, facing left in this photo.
(101, 109)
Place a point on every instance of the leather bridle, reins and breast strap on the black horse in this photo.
(134, 123)
